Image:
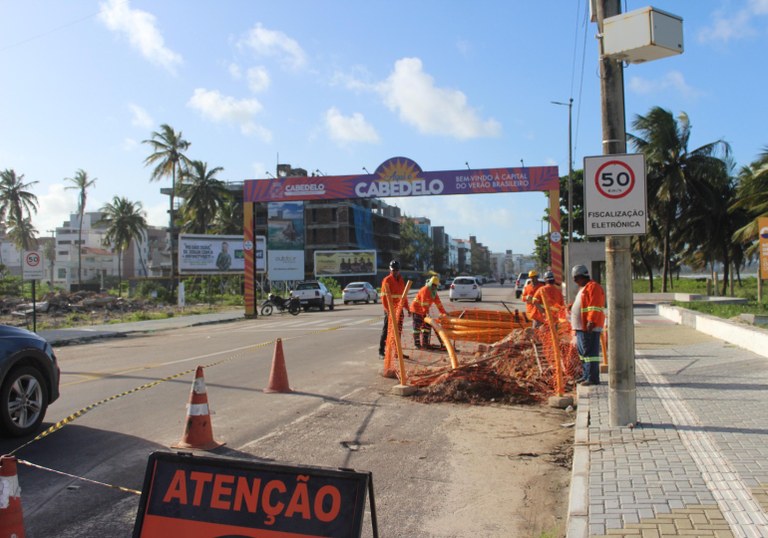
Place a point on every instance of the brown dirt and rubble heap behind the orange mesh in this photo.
(509, 371)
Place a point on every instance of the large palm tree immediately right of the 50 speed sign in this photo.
(674, 172)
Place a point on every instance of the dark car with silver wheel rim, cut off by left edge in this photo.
(29, 380)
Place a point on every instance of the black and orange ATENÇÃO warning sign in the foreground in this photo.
(186, 495)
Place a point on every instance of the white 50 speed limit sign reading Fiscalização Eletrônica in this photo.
(615, 199)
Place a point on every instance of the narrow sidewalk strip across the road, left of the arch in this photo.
(76, 335)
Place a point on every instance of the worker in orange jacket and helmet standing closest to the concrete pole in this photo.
(587, 319)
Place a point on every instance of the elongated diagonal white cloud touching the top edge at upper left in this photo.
(140, 29)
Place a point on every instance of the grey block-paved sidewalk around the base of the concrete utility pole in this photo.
(696, 463)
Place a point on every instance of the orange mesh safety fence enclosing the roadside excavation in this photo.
(484, 347)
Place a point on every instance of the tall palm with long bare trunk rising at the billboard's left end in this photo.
(169, 160)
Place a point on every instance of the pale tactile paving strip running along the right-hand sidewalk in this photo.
(731, 493)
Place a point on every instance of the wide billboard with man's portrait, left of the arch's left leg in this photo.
(211, 254)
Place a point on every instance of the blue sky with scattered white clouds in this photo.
(337, 86)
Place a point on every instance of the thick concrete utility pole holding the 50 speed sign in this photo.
(622, 401)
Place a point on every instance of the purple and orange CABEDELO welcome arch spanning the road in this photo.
(399, 177)
